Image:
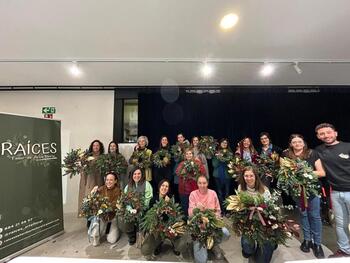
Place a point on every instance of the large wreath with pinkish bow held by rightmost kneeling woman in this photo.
(258, 218)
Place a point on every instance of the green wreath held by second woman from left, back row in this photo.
(112, 163)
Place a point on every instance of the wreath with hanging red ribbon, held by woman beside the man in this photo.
(297, 178)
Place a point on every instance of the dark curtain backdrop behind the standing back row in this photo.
(238, 112)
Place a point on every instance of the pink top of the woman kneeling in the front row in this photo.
(208, 201)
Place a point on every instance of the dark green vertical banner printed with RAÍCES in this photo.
(30, 181)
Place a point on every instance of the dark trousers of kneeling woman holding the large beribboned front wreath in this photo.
(261, 255)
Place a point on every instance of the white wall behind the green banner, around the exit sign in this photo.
(84, 115)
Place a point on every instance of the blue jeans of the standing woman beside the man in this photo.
(311, 222)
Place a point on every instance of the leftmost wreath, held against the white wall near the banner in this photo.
(75, 162)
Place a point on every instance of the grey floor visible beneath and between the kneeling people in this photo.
(74, 243)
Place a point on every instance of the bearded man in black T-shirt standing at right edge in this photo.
(335, 156)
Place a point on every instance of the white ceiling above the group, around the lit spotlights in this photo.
(268, 30)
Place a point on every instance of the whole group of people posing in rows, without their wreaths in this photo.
(331, 161)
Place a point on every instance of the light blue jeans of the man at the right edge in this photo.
(341, 209)
